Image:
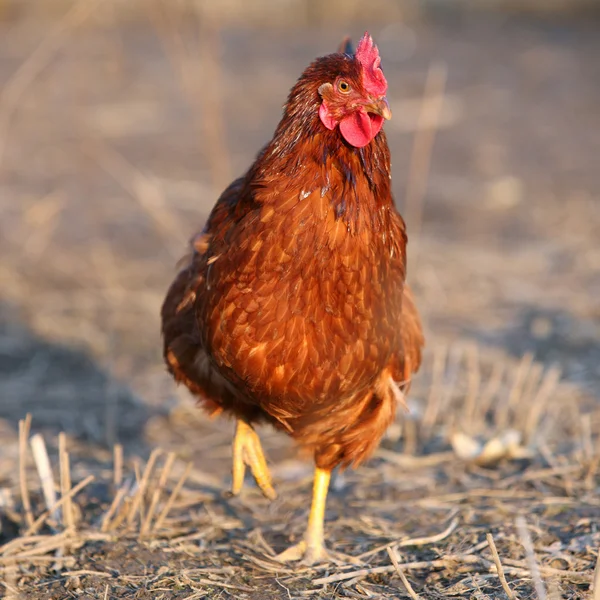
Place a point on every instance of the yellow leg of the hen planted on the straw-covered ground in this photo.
(312, 548)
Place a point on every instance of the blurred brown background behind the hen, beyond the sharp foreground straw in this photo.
(121, 121)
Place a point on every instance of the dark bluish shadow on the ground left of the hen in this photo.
(65, 389)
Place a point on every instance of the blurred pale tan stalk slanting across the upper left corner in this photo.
(38, 60)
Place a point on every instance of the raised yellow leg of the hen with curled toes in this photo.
(248, 451)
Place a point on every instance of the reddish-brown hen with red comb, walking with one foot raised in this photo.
(293, 308)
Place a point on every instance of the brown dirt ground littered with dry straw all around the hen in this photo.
(115, 138)
